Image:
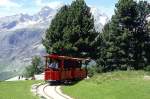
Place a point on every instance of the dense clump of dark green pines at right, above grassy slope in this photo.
(126, 37)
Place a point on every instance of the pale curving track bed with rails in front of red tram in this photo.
(51, 92)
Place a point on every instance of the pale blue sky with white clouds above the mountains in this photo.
(12, 7)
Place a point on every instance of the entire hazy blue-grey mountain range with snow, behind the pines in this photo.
(21, 35)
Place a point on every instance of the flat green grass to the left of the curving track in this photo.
(17, 90)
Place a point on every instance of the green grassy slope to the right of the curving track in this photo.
(115, 85)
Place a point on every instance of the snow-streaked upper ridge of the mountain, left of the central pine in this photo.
(41, 19)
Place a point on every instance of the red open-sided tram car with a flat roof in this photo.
(64, 68)
